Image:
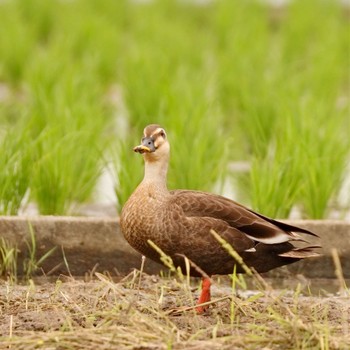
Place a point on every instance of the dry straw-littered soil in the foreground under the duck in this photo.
(150, 312)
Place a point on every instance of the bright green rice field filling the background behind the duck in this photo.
(242, 76)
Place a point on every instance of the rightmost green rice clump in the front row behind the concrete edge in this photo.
(325, 152)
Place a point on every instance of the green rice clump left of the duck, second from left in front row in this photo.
(65, 172)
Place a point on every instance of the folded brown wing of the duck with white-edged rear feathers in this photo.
(256, 226)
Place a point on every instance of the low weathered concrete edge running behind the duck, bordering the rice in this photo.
(97, 244)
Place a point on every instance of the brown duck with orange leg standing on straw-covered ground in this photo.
(179, 222)
